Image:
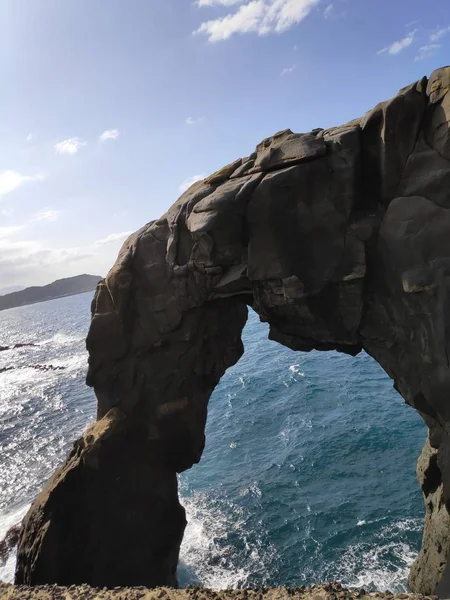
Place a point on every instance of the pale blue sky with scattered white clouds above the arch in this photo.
(109, 109)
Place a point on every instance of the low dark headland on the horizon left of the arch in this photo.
(57, 289)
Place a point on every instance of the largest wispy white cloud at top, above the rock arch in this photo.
(258, 16)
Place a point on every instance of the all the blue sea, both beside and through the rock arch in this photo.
(308, 474)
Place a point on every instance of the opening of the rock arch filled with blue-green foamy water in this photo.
(299, 481)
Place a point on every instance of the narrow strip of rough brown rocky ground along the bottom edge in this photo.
(329, 591)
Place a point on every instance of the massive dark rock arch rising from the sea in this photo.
(339, 239)
